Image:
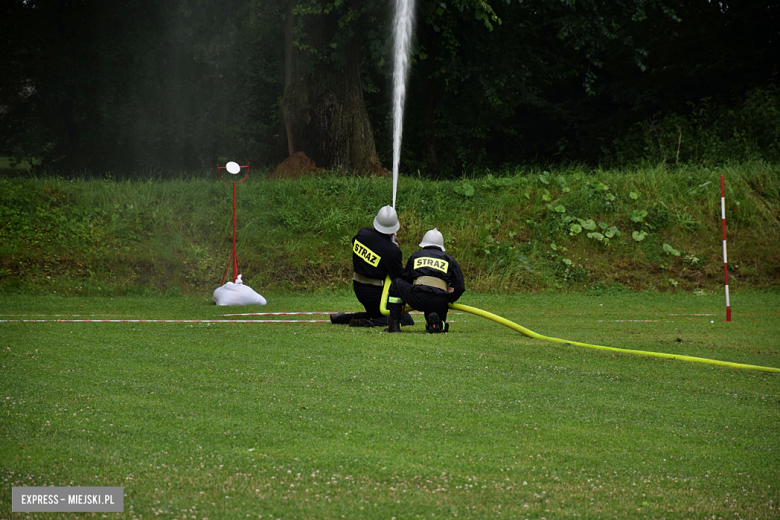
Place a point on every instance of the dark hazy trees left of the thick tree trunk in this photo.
(104, 85)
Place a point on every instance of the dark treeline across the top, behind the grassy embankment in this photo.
(178, 85)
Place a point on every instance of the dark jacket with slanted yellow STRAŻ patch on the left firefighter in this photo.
(375, 255)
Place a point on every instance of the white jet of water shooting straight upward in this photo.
(402, 29)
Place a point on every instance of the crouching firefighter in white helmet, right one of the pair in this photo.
(432, 279)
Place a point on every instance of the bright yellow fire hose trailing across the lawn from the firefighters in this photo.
(532, 334)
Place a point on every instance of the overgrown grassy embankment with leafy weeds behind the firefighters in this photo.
(513, 231)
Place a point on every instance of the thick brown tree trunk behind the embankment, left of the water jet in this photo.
(323, 107)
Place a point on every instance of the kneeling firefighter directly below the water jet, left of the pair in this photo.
(375, 255)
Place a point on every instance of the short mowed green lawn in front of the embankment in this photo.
(310, 420)
